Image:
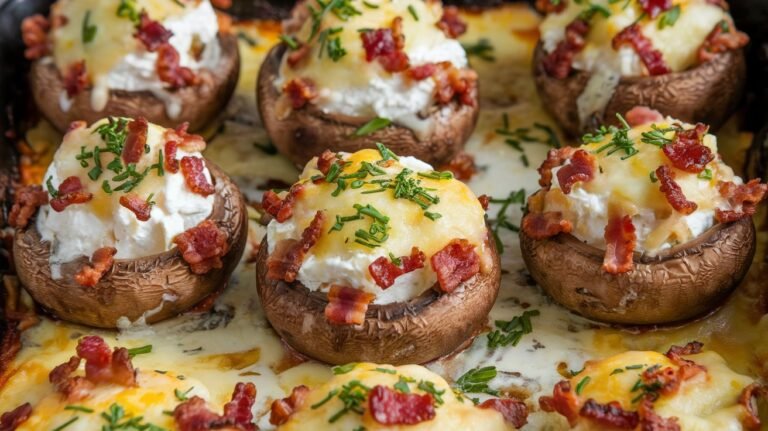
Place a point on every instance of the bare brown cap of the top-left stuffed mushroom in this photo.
(199, 104)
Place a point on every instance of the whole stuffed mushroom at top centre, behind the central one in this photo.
(351, 74)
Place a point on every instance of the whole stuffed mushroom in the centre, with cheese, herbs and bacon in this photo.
(375, 257)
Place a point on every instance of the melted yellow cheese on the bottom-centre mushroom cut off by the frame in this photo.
(454, 413)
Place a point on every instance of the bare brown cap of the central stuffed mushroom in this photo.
(413, 332)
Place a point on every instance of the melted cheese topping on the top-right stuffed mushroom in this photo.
(678, 43)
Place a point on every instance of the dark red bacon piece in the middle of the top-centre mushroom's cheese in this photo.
(386, 46)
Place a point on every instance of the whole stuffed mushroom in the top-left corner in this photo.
(168, 61)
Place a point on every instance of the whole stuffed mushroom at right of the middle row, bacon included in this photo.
(643, 224)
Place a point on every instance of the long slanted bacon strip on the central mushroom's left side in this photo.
(286, 260)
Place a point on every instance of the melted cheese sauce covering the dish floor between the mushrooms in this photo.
(234, 343)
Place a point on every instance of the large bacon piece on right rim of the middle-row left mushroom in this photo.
(203, 246)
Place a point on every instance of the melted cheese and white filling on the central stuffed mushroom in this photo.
(337, 259)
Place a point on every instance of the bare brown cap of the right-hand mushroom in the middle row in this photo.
(679, 283)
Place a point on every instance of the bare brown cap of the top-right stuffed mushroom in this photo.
(708, 93)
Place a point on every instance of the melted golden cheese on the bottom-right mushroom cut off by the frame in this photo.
(704, 402)
